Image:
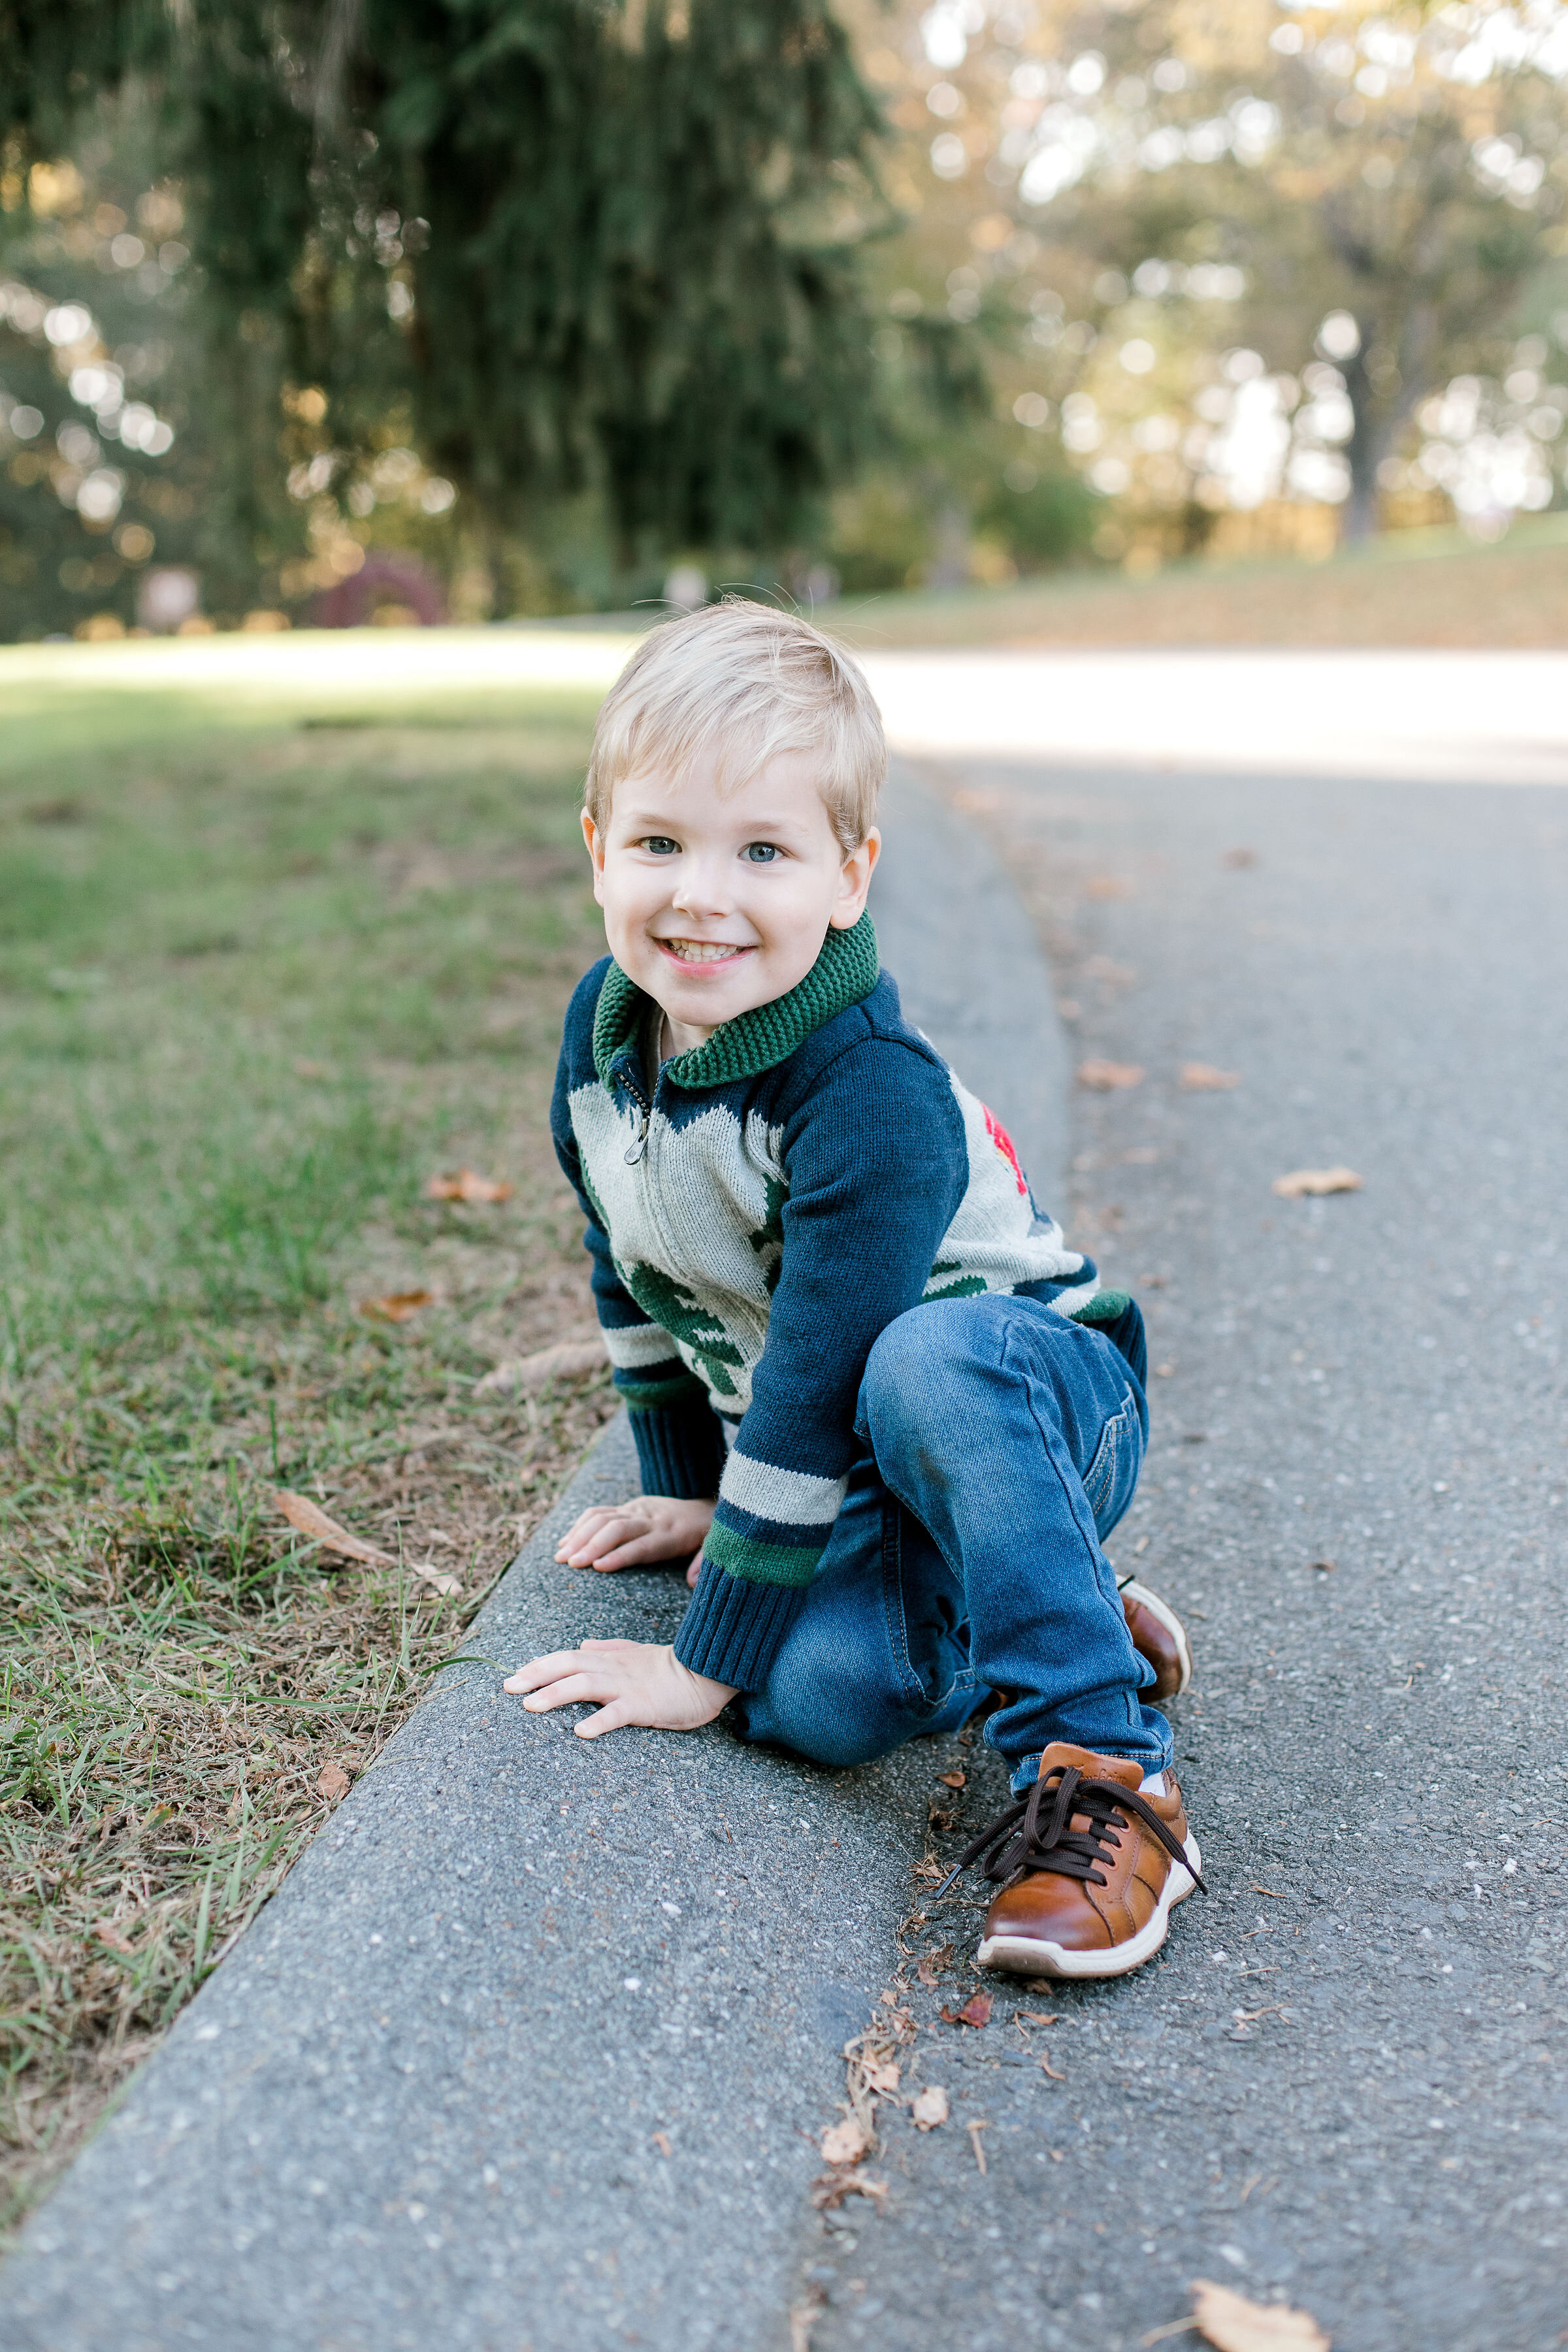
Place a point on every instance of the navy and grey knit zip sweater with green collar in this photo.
(756, 1220)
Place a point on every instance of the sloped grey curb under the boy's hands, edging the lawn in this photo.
(535, 2045)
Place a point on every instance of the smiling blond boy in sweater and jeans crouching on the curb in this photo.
(871, 1387)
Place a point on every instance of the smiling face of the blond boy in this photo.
(721, 902)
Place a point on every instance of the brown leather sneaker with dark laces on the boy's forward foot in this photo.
(1090, 1866)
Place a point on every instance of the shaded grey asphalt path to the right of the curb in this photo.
(1346, 2083)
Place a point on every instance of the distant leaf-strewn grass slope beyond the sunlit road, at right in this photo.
(1402, 589)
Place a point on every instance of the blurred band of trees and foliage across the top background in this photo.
(516, 307)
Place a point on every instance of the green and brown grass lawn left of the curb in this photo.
(260, 980)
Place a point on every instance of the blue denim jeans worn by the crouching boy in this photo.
(1000, 1445)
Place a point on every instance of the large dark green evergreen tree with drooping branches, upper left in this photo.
(594, 243)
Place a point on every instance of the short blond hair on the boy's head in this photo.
(753, 683)
